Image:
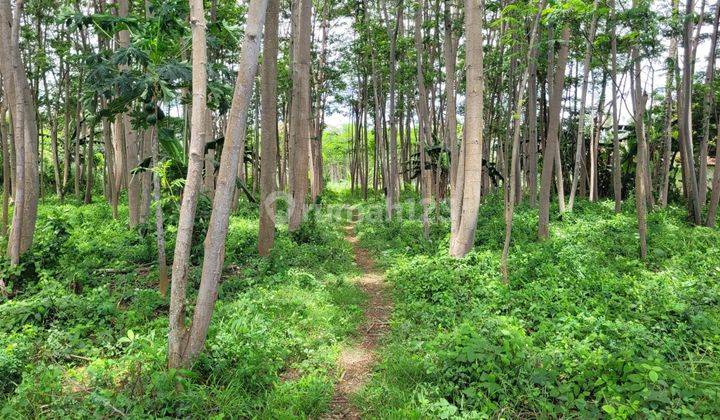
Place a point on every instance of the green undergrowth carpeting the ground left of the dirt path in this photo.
(85, 333)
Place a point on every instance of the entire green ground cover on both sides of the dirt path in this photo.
(582, 329)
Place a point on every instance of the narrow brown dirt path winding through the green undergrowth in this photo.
(355, 363)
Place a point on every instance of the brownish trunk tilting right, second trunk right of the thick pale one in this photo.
(551, 152)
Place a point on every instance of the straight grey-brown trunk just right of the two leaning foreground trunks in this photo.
(268, 152)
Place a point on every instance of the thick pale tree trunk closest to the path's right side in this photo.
(470, 158)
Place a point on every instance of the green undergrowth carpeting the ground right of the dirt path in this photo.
(583, 329)
